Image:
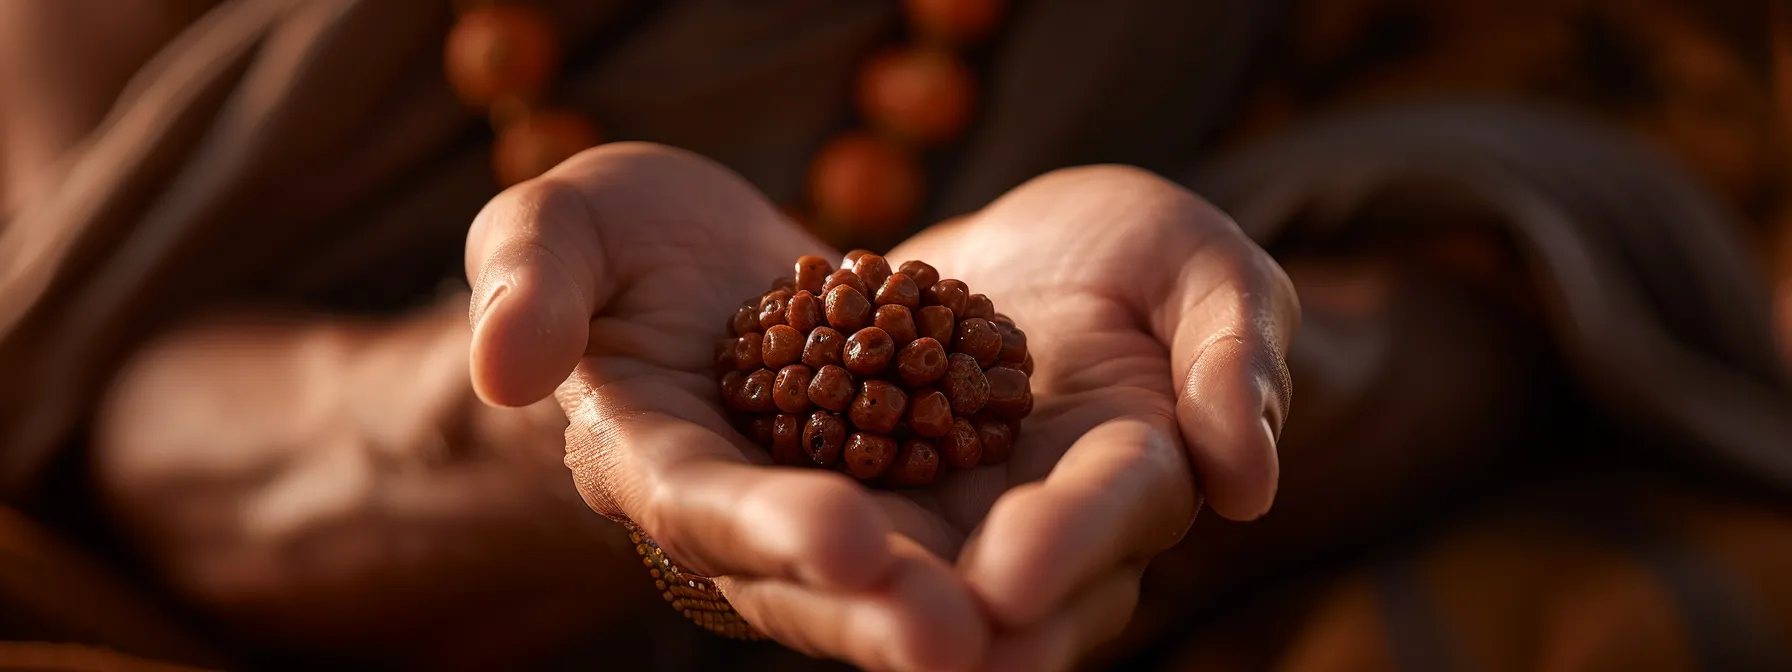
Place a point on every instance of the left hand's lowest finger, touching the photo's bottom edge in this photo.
(922, 621)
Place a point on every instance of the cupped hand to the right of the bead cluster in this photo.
(1159, 332)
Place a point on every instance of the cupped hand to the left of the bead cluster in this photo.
(619, 268)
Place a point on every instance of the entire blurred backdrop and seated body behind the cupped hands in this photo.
(1544, 252)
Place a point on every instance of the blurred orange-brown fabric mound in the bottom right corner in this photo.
(1657, 580)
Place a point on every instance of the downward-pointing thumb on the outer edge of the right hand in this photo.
(1228, 323)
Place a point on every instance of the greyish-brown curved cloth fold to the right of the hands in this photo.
(1653, 300)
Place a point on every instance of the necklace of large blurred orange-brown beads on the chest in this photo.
(868, 182)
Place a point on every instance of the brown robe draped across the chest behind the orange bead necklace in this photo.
(311, 151)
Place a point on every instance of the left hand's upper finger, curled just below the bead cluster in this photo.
(680, 478)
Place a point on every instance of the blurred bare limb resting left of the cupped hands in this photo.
(316, 483)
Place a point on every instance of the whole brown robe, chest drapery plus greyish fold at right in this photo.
(309, 153)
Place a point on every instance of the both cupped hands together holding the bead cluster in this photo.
(607, 280)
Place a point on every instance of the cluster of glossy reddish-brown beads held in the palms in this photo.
(915, 375)
